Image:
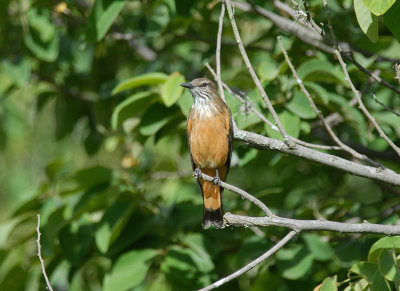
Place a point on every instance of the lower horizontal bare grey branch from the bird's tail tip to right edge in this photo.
(312, 225)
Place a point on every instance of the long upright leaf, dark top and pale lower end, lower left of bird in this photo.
(112, 223)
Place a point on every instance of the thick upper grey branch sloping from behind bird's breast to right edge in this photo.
(262, 142)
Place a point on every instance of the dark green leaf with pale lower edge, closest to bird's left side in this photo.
(155, 118)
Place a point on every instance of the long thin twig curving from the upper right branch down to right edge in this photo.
(362, 106)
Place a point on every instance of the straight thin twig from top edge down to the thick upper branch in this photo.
(257, 82)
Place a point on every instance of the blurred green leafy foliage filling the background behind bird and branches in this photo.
(92, 137)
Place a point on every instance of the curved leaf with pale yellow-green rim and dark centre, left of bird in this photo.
(131, 109)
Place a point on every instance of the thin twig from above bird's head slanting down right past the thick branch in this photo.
(262, 117)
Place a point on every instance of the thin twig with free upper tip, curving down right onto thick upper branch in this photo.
(319, 113)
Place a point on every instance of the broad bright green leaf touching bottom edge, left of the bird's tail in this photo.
(129, 270)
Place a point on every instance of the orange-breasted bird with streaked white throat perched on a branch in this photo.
(210, 140)
